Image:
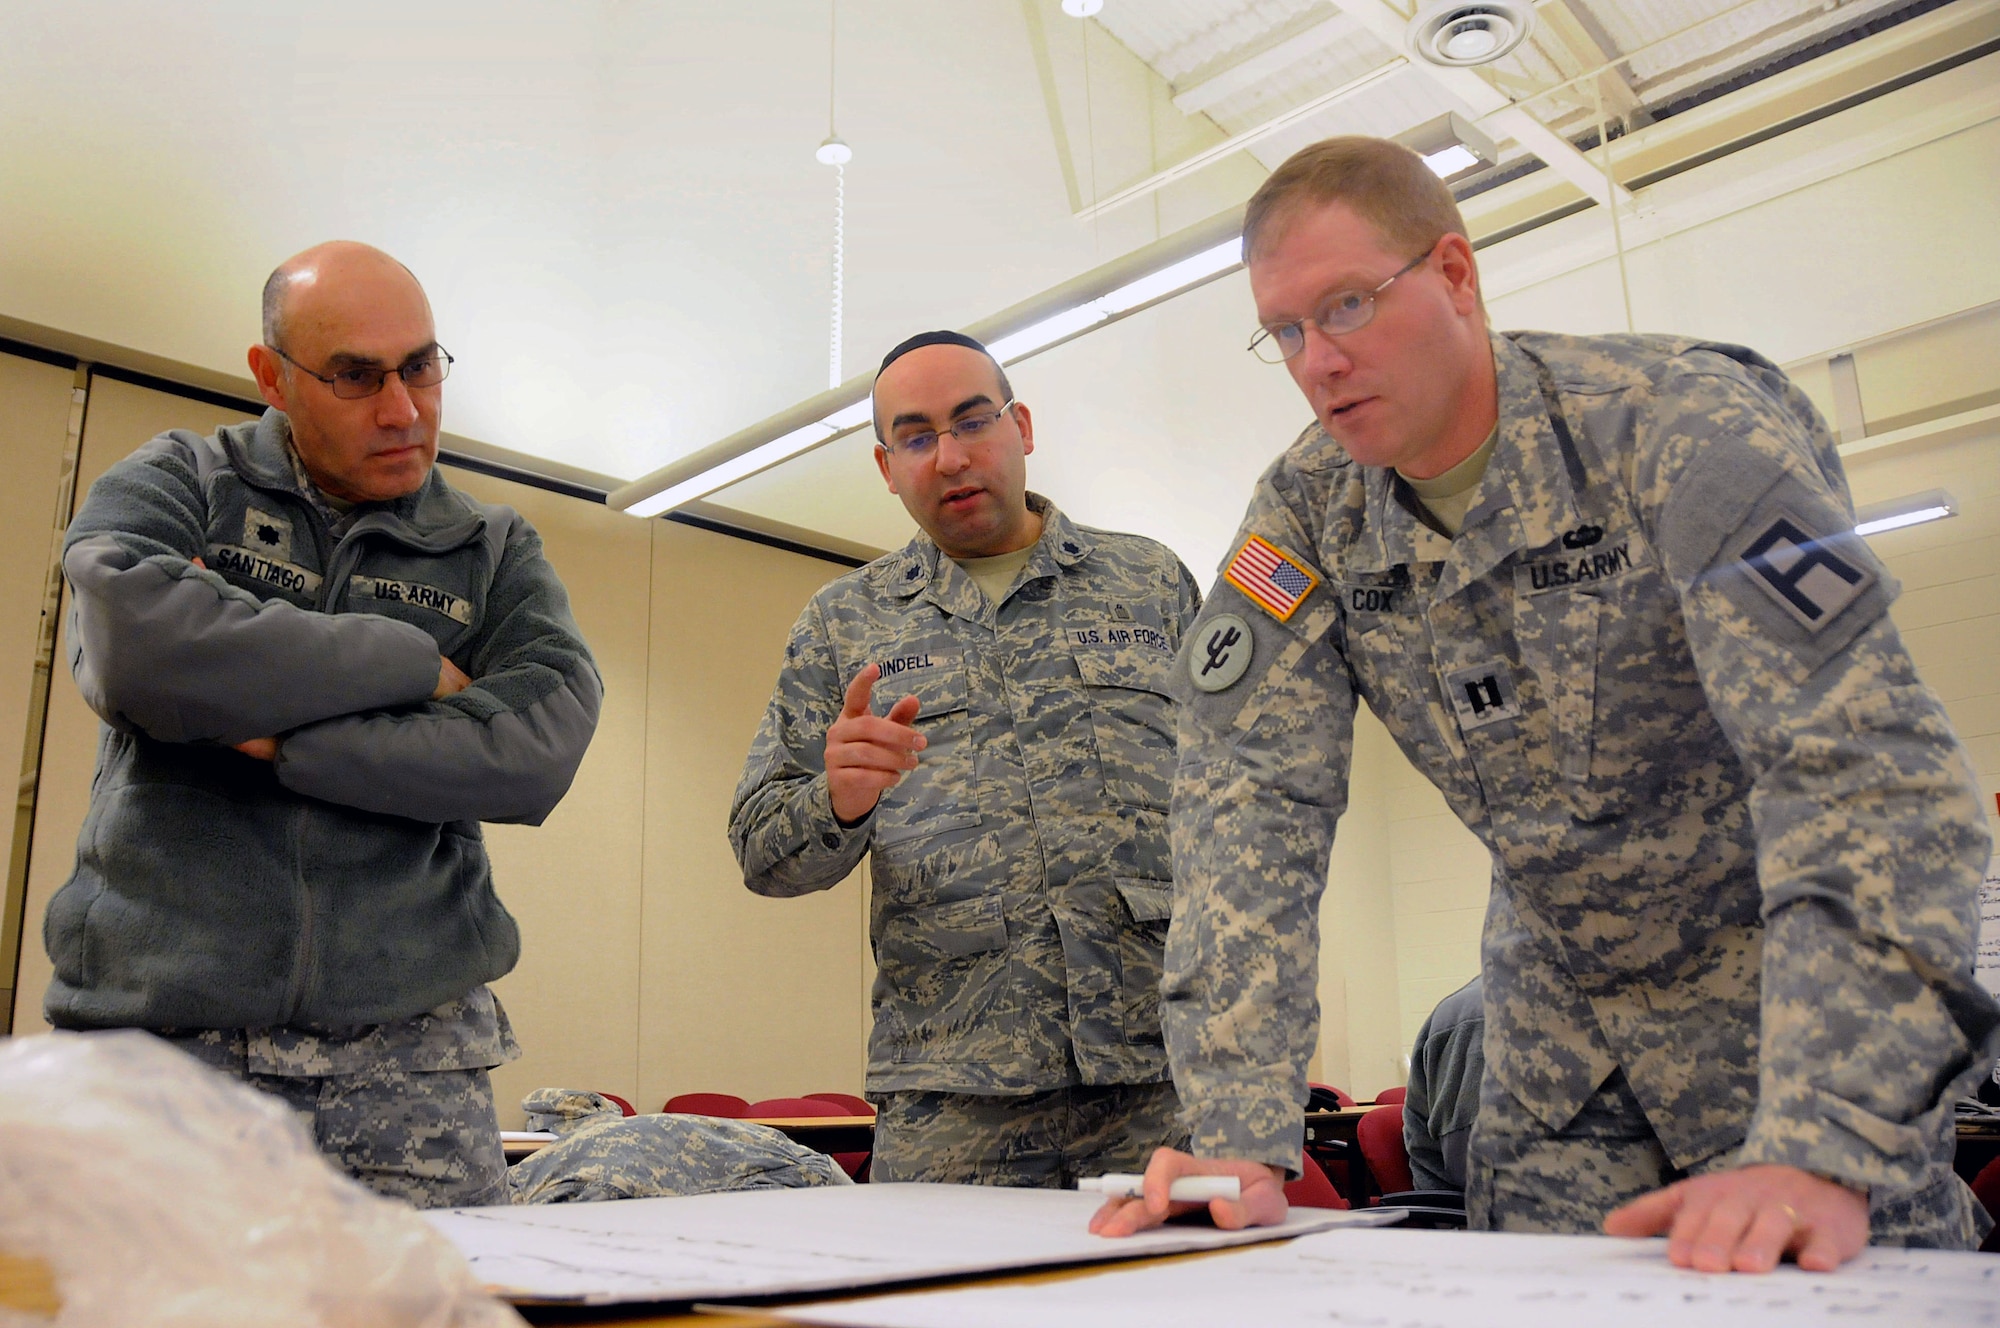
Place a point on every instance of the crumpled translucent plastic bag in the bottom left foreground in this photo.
(165, 1195)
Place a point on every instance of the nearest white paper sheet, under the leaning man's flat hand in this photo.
(1459, 1281)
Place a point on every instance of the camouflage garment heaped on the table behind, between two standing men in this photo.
(605, 1155)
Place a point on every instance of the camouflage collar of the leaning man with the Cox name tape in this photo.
(1525, 501)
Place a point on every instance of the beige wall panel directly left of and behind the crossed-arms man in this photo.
(117, 423)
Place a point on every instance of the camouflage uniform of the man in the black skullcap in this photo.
(1021, 881)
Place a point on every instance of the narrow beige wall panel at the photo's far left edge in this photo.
(35, 423)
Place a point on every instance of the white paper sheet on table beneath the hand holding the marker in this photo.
(775, 1243)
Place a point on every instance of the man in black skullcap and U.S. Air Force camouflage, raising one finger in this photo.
(1013, 797)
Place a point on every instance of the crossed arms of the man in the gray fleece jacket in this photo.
(353, 709)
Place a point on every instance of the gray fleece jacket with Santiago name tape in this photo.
(347, 883)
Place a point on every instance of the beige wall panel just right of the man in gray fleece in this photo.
(573, 883)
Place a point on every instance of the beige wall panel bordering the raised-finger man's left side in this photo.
(739, 993)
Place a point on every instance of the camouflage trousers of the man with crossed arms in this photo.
(407, 1109)
